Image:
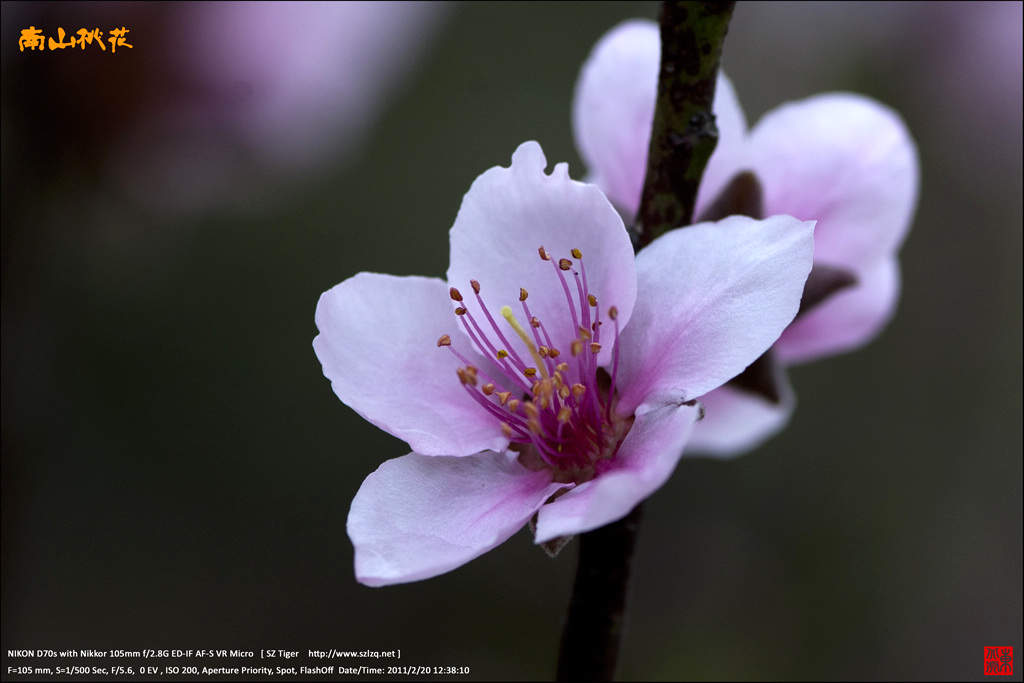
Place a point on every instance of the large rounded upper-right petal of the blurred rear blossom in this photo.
(847, 162)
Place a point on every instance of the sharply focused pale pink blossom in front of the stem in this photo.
(562, 385)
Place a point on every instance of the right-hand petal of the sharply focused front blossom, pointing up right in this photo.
(712, 298)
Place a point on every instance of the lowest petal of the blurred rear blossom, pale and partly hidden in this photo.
(737, 421)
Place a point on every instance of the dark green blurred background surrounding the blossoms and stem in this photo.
(178, 473)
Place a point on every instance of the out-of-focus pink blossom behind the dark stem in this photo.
(840, 159)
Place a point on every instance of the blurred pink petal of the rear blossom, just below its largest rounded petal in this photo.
(846, 321)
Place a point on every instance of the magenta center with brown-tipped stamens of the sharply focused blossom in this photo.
(554, 405)
